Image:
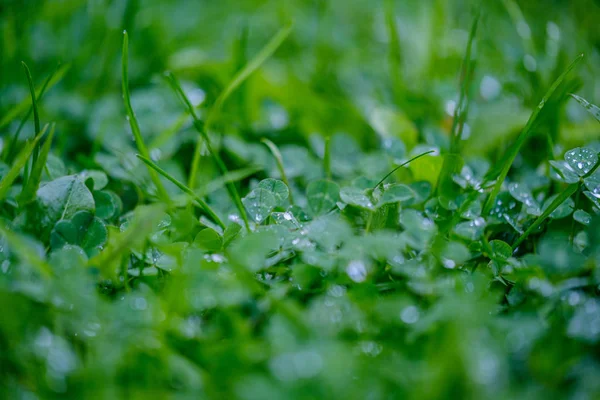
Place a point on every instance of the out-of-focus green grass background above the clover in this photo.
(365, 68)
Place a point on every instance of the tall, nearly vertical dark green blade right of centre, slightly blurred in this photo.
(461, 109)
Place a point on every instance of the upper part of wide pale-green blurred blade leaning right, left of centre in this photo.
(248, 70)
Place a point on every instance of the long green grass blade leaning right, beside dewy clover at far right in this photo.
(504, 166)
